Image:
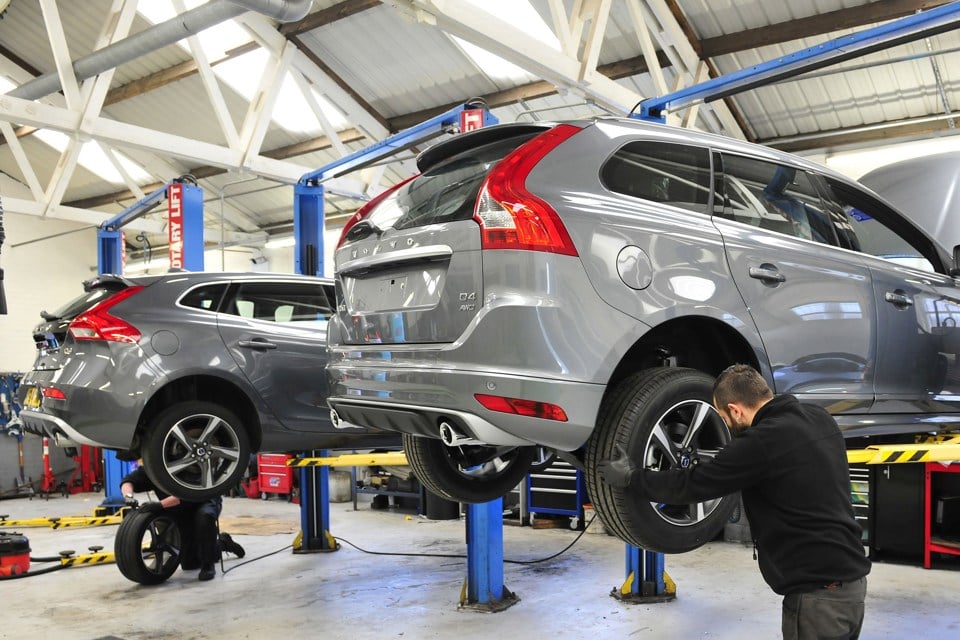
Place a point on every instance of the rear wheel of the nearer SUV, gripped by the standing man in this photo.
(663, 418)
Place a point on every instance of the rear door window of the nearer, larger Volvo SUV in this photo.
(776, 197)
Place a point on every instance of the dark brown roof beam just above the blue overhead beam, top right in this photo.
(824, 23)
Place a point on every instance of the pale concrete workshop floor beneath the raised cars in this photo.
(353, 595)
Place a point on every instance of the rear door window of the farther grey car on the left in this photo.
(298, 303)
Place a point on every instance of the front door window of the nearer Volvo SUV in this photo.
(868, 226)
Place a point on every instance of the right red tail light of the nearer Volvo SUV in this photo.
(511, 217)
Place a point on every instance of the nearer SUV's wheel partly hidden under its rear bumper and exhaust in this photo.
(468, 473)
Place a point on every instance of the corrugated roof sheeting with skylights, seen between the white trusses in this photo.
(401, 67)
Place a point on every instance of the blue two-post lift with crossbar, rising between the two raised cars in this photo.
(484, 522)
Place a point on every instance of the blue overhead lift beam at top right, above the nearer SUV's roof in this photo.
(914, 27)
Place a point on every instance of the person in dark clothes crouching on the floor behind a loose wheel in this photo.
(201, 540)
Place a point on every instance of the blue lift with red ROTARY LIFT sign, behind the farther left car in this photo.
(185, 223)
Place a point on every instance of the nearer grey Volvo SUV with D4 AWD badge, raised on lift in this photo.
(577, 286)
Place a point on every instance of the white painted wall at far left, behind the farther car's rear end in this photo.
(39, 276)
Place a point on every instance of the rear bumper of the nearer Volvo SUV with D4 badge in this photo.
(417, 400)
